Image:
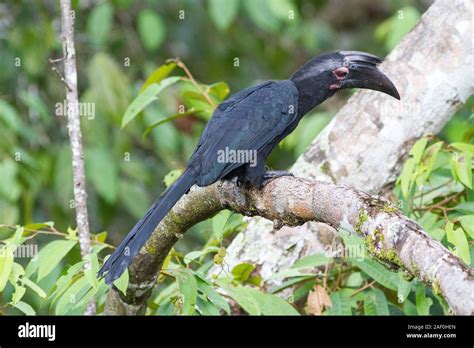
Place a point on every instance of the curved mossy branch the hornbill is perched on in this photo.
(389, 235)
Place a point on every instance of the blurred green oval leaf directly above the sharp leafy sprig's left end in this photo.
(151, 29)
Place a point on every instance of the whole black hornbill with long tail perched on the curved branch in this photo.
(254, 119)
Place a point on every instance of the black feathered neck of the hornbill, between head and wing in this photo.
(312, 90)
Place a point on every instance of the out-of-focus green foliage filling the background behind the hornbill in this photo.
(120, 43)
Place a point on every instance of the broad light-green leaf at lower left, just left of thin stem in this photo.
(50, 256)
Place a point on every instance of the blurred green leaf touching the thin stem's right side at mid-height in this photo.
(101, 168)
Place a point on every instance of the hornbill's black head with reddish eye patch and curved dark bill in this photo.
(340, 70)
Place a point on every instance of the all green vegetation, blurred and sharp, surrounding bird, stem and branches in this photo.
(130, 157)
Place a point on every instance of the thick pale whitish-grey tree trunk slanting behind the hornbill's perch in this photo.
(366, 143)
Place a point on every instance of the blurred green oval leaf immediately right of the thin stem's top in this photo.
(99, 23)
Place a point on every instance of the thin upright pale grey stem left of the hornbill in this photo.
(75, 135)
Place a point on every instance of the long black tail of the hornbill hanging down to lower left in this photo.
(137, 237)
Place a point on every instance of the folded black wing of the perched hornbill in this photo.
(248, 120)
